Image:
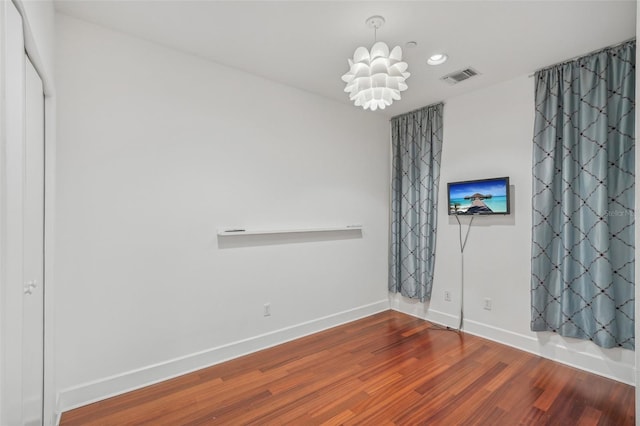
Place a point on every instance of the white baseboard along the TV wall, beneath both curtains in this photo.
(615, 364)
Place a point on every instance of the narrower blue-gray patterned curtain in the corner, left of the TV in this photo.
(417, 146)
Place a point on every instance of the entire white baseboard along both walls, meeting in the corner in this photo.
(621, 369)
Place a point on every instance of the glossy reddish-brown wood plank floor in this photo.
(387, 369)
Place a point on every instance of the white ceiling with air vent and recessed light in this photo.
(306, 44)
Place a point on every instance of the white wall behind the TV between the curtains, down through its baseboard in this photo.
(488, 133)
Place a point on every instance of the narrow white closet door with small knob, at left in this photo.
(33, 251)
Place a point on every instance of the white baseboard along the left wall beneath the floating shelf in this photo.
(107, 387)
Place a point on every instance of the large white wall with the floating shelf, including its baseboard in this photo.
(156, 150)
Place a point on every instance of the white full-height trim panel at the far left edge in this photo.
(12, 112)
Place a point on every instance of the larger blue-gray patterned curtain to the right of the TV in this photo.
(583, 198)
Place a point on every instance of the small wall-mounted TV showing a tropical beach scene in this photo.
(482, 196)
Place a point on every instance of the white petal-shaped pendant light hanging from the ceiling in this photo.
(375, 79)
